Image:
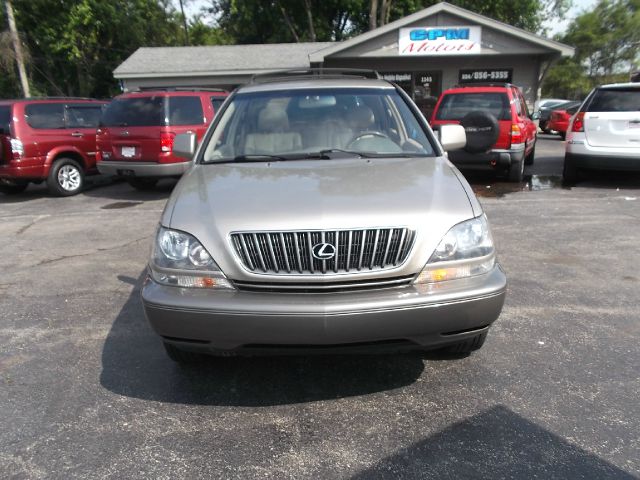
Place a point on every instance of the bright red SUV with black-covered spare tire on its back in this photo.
(501, 134)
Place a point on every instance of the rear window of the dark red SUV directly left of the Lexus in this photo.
(135, 112)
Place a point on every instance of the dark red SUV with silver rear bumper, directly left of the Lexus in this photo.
(135, 138)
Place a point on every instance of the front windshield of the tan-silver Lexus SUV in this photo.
(316, 123)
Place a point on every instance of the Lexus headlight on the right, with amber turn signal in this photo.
(466, 250)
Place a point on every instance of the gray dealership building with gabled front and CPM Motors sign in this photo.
(425, 53)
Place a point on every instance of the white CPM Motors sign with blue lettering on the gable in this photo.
(440, 41)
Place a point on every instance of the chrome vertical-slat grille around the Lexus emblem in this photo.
(292, 252)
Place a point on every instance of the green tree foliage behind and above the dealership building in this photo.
(75, 45)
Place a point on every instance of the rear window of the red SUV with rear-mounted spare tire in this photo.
(456, 106)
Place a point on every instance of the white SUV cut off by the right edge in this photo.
(605, 132)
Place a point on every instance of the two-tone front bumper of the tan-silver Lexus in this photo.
(414, 317)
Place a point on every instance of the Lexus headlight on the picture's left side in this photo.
(180, 260)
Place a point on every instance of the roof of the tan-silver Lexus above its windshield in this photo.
(303, 83)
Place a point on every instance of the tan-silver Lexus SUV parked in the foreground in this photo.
(322, 214)
